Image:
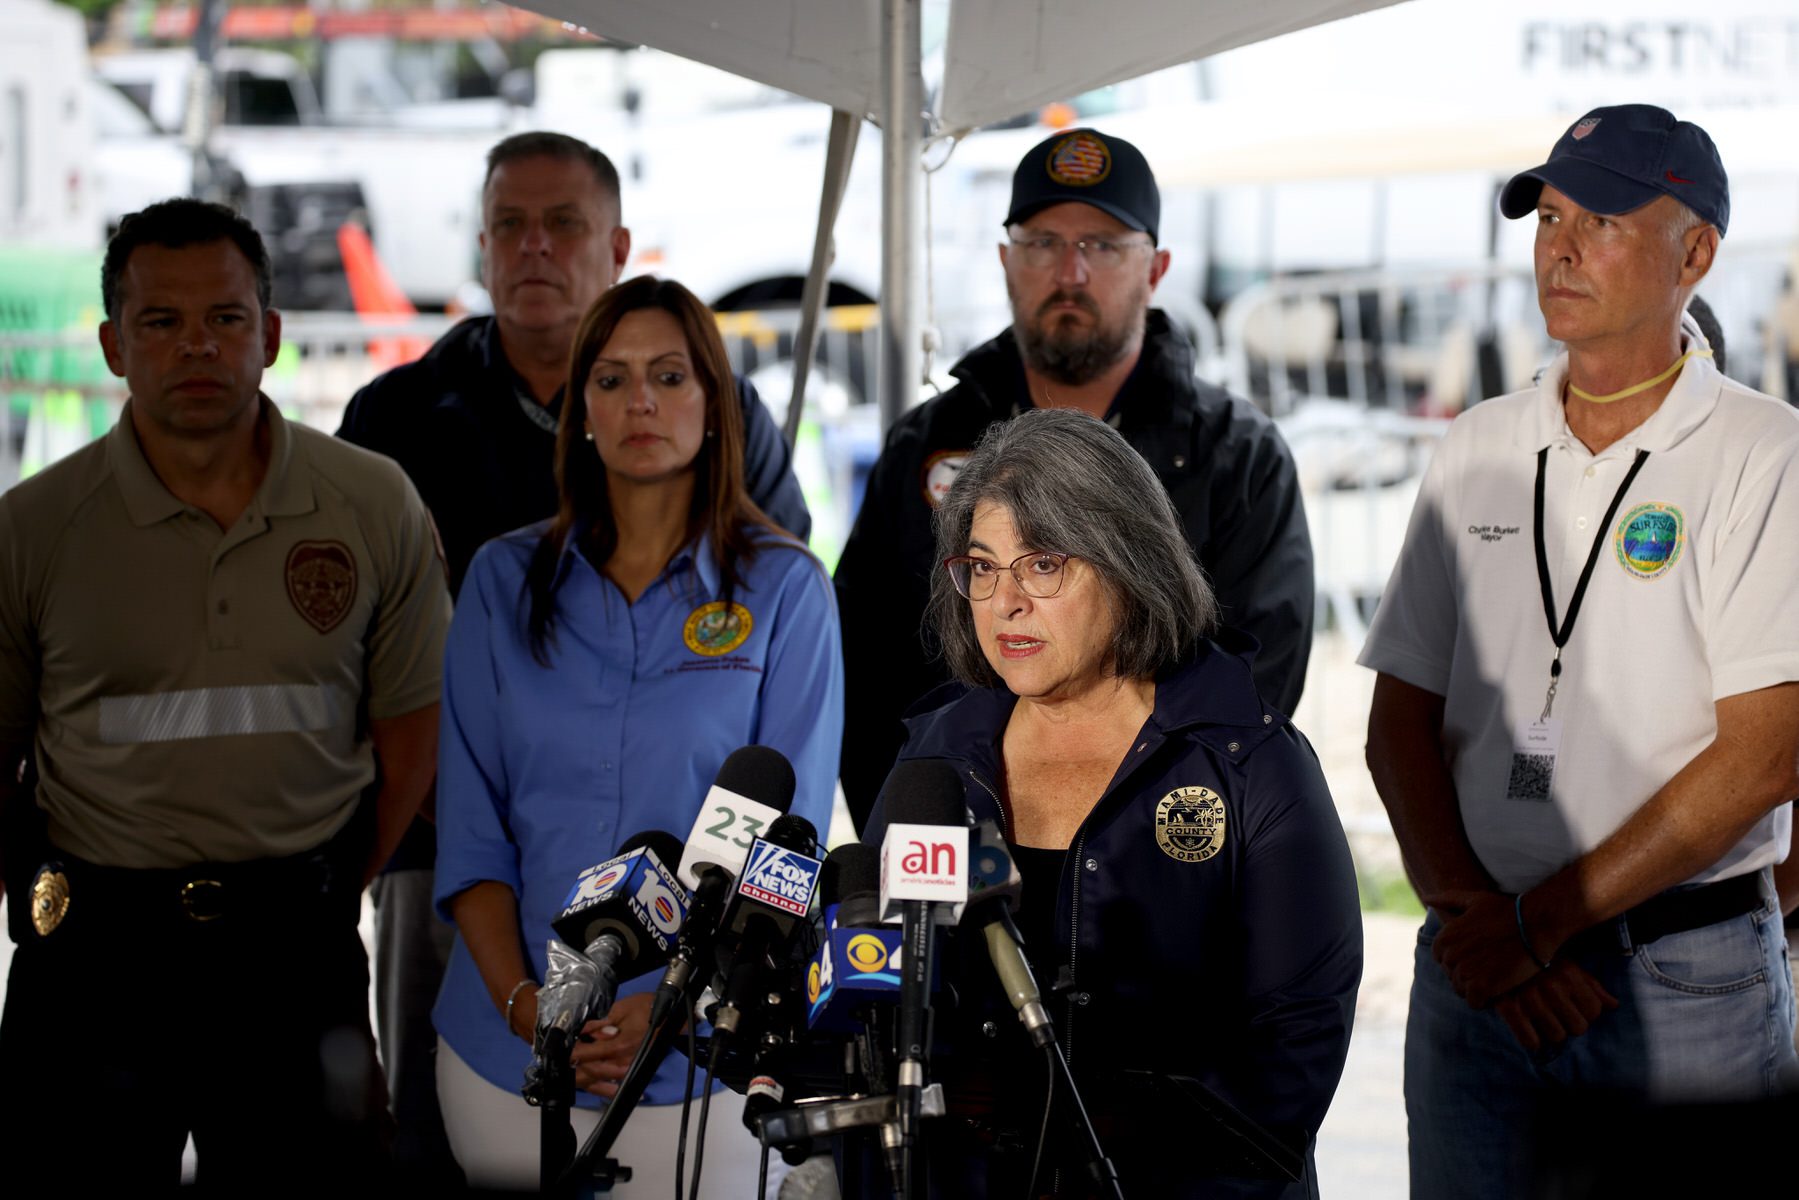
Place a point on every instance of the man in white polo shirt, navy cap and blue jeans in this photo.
(1586, 726)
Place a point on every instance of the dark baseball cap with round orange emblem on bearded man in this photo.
(1086, 166)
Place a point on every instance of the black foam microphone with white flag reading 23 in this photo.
(755, 787)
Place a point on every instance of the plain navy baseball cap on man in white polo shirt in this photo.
(1624, 157)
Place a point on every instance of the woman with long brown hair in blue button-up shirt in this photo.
(600, 670)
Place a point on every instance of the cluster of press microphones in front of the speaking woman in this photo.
(823, 972)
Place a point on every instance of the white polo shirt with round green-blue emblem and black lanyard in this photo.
(1692, 600)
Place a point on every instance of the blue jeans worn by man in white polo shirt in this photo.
(1705, 1016)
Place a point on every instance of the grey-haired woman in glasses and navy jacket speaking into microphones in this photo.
(1186, 882)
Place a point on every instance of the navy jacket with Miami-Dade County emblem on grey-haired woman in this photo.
(1239, 969)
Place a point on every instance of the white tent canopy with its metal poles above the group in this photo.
(864, 58)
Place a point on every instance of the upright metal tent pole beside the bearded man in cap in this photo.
(902, 211)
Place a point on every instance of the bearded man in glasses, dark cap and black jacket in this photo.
(1082, 264)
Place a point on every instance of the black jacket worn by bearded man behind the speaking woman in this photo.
(1222, 461)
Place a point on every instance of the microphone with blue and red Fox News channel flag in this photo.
(774, 895)
